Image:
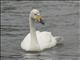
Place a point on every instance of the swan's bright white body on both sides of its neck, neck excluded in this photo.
(45, 40)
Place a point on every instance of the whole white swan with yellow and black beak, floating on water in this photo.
(36, 40)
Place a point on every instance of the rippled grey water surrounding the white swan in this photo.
(61, 18)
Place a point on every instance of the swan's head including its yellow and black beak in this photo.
(35, 15)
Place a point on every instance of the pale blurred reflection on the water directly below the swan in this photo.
(38, 56)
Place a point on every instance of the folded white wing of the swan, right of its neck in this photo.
(45, 39)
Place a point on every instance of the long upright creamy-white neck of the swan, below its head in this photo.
(34, 42)
